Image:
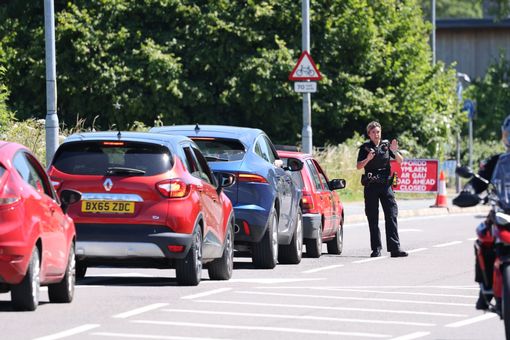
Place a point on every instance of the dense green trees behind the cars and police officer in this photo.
(227, 62)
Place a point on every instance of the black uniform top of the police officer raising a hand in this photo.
(380, 164)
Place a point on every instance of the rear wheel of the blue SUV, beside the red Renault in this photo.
(265, 252)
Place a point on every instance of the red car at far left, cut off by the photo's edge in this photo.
(36, 236)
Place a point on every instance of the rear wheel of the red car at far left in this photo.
(25, 295)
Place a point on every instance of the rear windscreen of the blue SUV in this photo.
(220, 149)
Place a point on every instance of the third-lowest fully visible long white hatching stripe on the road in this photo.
(375, 310)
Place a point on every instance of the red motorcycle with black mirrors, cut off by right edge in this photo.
(492, 247)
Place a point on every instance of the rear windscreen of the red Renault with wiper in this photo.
(112, 158)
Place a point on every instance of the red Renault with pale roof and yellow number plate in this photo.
(148, 200)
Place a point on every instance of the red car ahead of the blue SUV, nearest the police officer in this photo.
(323, 215)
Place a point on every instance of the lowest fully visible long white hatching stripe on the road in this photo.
(262, 328)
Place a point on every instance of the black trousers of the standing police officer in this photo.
(374, 193)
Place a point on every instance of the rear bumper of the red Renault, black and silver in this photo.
(112, 241)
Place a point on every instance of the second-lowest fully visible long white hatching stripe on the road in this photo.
(300, 317)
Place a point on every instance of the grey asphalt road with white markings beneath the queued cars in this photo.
(429, 295)
